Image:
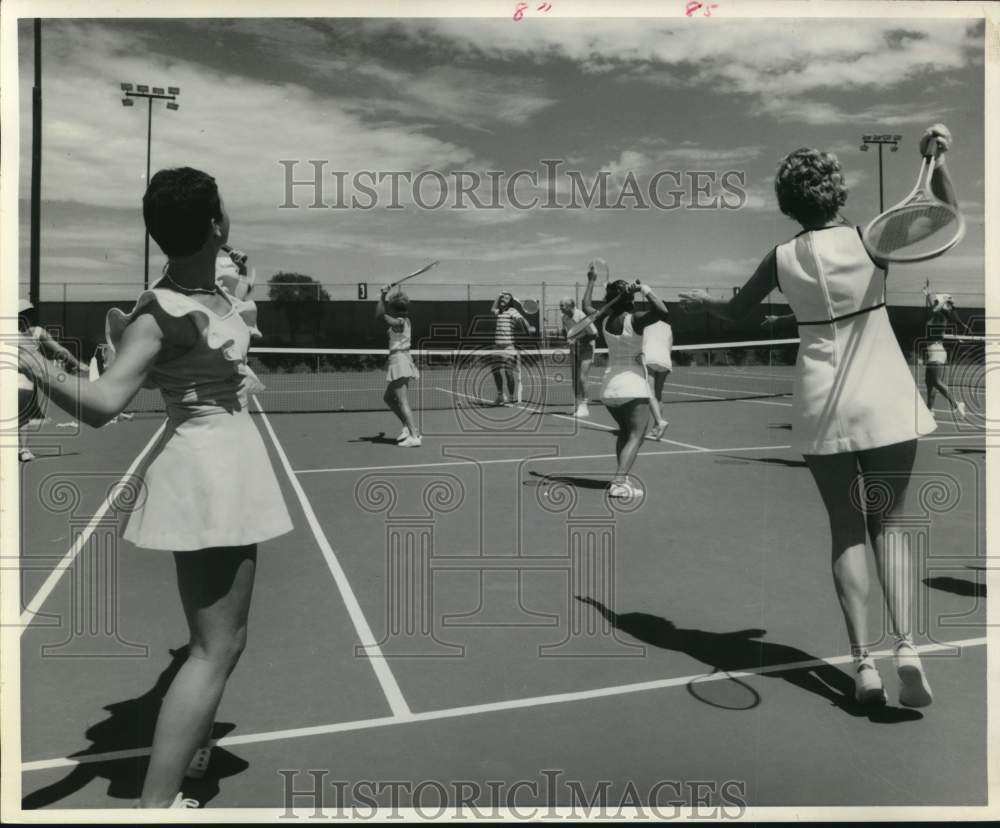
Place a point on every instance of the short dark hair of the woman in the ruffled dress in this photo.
(179, 206)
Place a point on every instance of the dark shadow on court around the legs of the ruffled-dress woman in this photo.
(130, 726)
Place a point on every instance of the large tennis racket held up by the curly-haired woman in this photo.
(920, 227)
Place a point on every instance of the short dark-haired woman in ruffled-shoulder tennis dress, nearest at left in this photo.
(209, 491)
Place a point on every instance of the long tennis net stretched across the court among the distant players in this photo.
(332, 379)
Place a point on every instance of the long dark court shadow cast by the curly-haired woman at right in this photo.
(741, 650)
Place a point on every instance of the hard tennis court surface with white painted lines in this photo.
(477, 610)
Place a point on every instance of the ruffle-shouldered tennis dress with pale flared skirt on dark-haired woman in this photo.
(208, 481)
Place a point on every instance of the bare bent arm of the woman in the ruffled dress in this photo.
(97, 402)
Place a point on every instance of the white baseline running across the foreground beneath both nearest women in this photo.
(491, 707)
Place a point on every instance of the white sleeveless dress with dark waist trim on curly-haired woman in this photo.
(853, 388)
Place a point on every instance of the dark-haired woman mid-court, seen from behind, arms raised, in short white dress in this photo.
(626, 388)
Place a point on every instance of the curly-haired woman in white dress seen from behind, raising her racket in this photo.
(858, 413)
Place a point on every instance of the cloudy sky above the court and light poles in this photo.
(620, 96)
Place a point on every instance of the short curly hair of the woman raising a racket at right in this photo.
(810, 185)
